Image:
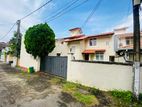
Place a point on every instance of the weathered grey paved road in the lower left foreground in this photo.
(30, 90)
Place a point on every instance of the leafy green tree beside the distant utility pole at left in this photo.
(15, 45)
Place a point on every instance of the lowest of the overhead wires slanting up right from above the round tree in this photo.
(66, 11)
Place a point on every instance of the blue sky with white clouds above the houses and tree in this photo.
(109, 15)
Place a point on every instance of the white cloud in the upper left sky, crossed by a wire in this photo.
(12, 10)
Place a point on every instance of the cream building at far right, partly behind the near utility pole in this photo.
(125, 45)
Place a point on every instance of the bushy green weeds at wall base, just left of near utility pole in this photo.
(125, 96)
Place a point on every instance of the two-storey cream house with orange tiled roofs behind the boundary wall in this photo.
(93, 48)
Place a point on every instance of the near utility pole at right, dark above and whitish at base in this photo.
(136, 47)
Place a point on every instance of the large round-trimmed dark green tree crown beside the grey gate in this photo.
(39, 40)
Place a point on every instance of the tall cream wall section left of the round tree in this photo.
(27, 60)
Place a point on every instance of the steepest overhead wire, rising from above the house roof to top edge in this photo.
(96, 6)
